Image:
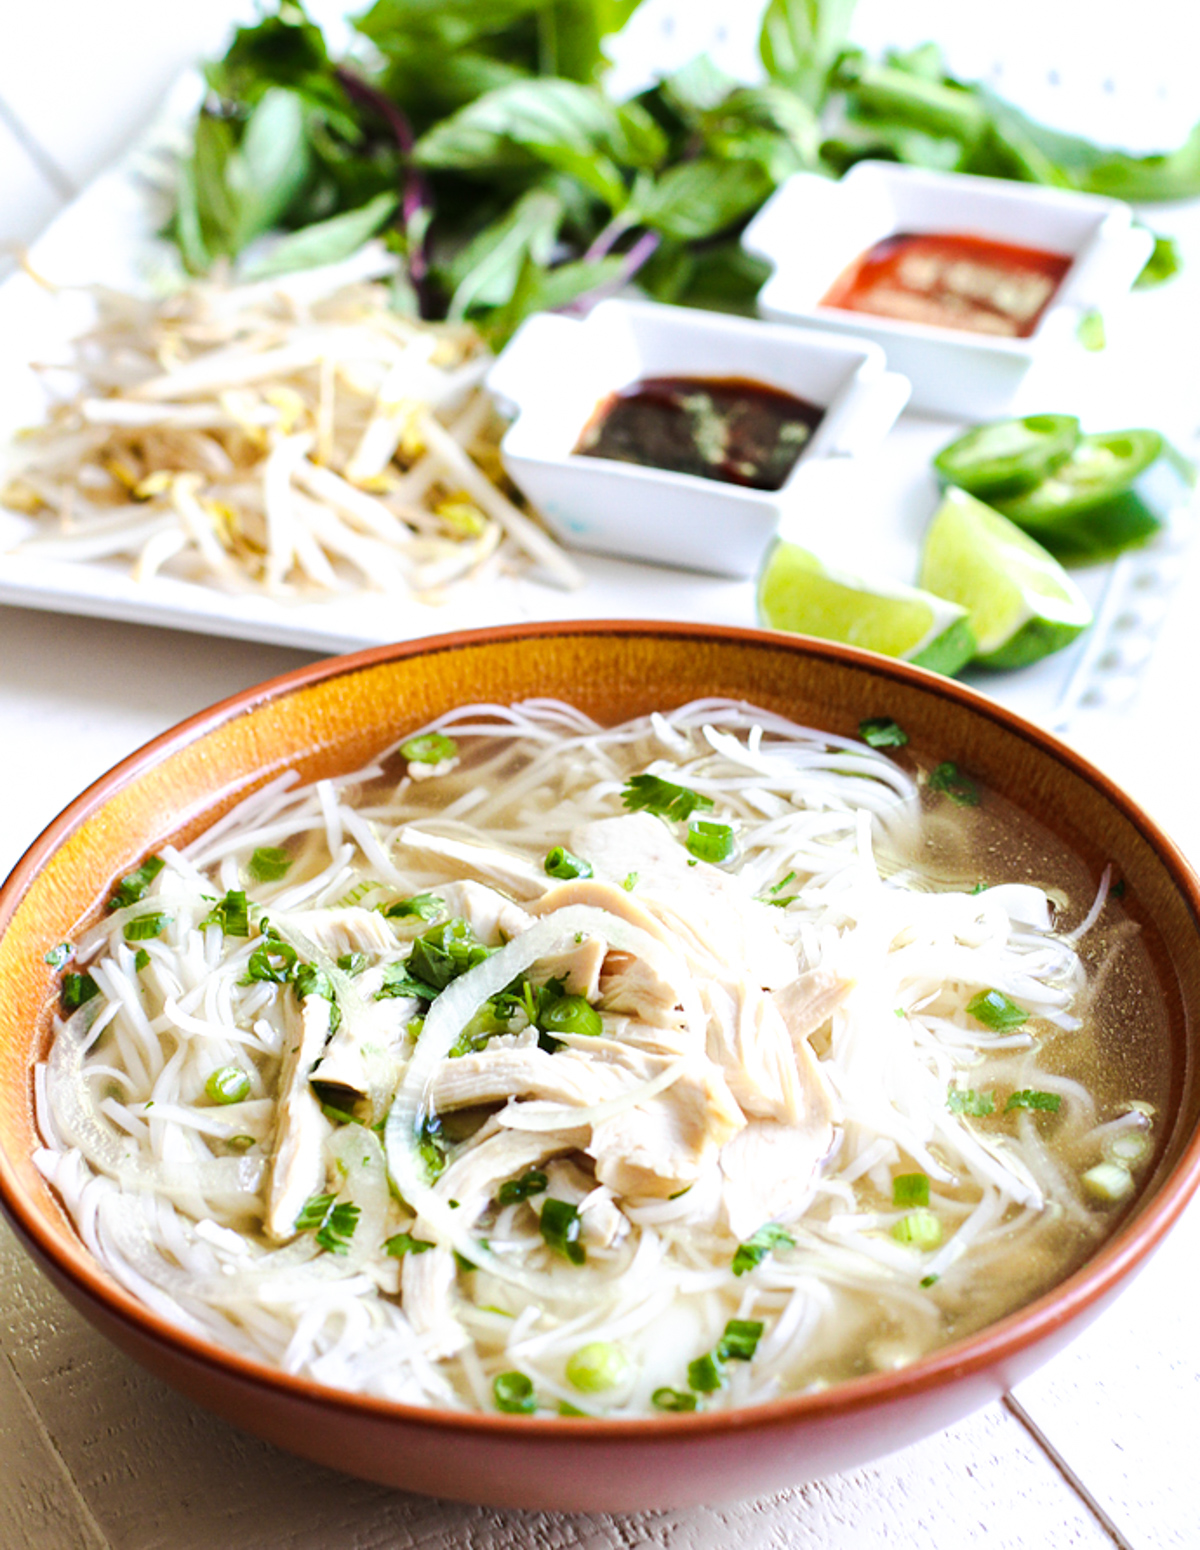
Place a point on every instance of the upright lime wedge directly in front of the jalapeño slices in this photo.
(1021, 602)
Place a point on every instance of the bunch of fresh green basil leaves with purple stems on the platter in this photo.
(478, 139)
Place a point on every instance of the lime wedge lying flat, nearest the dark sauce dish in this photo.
(799, 593)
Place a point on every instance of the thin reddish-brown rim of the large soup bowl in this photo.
(988, 1349)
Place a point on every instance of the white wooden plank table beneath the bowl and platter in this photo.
(1097, 1450)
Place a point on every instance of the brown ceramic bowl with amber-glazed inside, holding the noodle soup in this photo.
(336, 717)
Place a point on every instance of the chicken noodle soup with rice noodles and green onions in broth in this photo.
(570, 1070)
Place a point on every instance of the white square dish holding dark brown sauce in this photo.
(565, 377)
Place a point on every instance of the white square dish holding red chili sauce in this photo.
(1007, 270)
